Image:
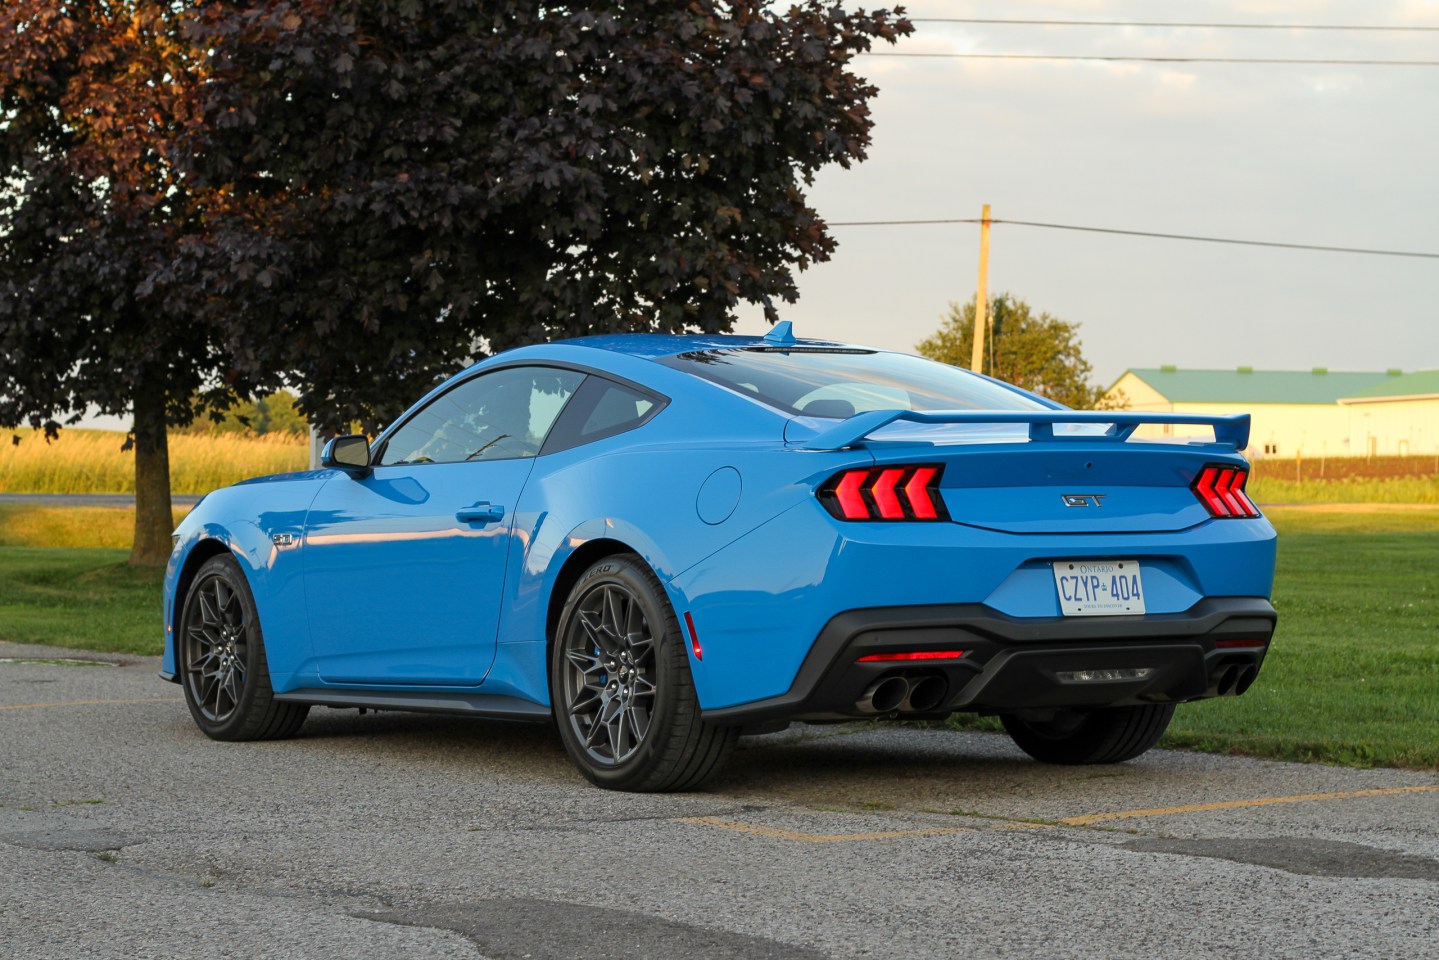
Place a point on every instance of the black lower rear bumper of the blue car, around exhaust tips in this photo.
(1212, 650)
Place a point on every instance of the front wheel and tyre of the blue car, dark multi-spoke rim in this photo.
(221, 654)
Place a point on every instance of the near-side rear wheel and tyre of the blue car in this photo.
(624, 697)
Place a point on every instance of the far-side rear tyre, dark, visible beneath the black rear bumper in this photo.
(1074, 738)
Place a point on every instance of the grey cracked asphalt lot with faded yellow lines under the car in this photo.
(126, 834)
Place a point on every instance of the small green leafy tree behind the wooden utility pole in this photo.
(1038, 353)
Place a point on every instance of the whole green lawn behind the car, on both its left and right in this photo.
(1353, 676)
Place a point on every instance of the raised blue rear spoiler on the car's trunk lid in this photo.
(1230, 431)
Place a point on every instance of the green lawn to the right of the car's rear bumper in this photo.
(1353, 674)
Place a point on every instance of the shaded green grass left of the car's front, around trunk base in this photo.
(84, 599)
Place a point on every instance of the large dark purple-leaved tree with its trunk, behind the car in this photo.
(353, 198)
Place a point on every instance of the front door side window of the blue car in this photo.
(496, 417)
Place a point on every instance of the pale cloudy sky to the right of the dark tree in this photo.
(1320, 155)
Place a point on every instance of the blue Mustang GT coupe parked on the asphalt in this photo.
(664, 543)
